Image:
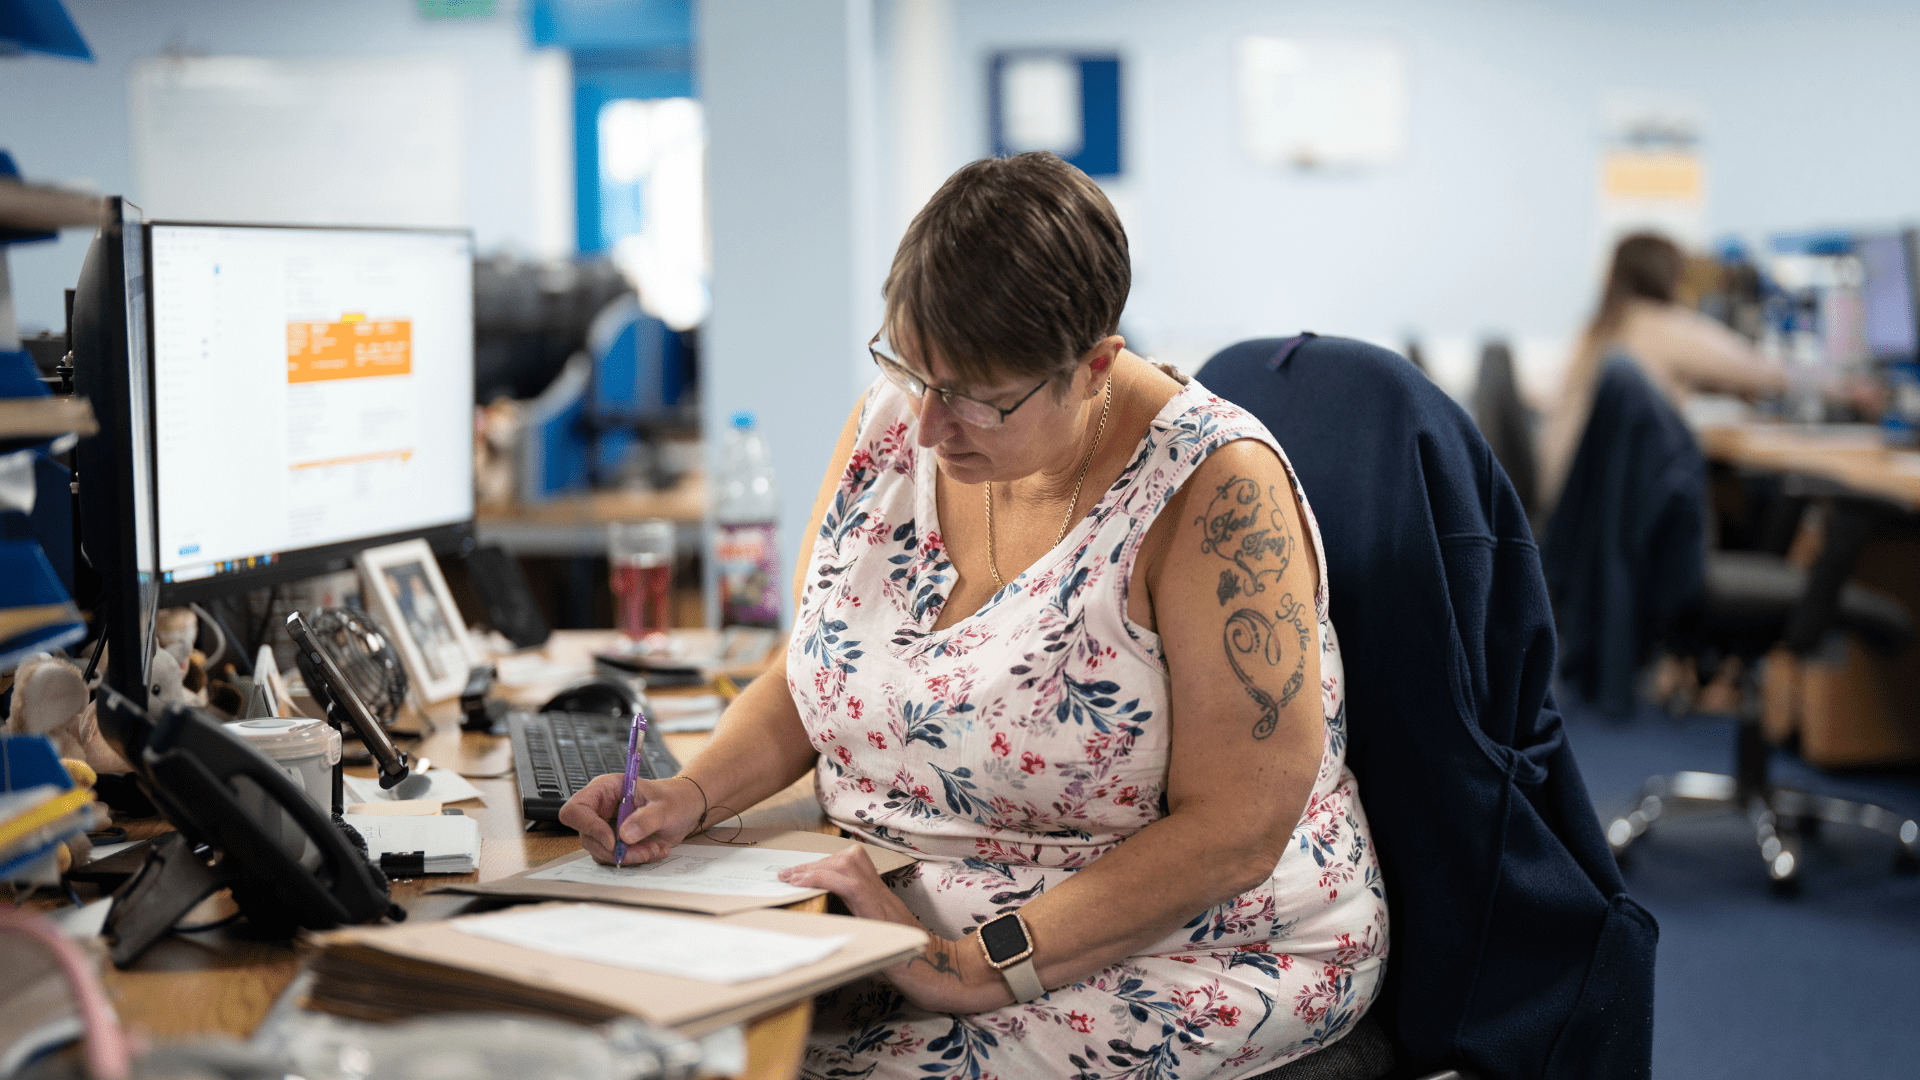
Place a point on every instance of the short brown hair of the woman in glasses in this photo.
(1017, 266)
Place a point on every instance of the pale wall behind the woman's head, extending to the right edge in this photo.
(1489, 226)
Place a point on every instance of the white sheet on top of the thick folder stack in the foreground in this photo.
(661, 945)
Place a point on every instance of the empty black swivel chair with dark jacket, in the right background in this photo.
(1629, 526)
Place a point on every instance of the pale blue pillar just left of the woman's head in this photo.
(790, 93)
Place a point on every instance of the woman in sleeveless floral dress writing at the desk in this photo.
(1063, 635)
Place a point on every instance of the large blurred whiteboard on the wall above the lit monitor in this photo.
(312, 141)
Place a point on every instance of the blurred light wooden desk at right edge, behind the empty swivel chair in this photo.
(1861, 708)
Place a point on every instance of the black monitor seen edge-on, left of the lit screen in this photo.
(114, 468)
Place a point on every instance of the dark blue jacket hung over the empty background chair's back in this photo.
(1627, 545)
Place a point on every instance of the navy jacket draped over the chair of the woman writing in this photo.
(1514, 946)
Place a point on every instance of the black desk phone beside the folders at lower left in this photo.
(291, 868)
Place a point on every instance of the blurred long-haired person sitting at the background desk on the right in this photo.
(1681, 351)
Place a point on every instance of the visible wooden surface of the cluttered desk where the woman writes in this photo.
(220, 983)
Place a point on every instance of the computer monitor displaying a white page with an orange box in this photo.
(312, 397)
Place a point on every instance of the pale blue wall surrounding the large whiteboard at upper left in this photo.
(68, 122)
